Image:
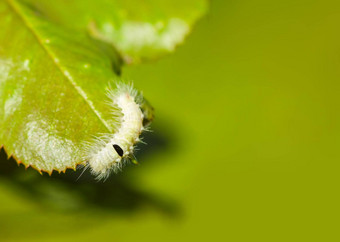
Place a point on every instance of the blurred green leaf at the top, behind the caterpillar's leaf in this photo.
(139, 29)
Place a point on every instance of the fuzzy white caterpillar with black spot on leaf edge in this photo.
(109, 152)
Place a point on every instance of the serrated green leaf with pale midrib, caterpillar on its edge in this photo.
(52, 88)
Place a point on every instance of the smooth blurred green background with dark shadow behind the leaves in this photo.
(245, 144)
